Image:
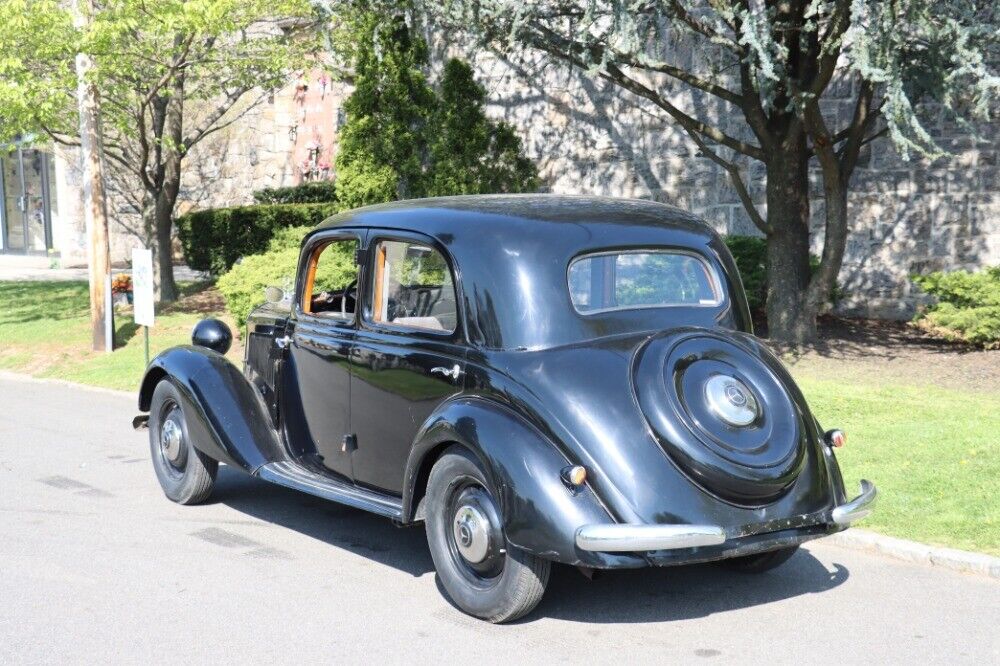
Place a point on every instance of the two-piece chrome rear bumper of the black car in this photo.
(618, 537)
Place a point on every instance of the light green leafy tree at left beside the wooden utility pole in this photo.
(170, 73)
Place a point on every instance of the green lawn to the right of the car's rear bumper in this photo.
(934, 454)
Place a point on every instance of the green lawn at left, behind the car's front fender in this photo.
(45, 331)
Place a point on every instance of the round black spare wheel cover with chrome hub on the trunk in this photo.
(720, 413)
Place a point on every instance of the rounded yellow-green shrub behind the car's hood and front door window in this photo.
(243, 286)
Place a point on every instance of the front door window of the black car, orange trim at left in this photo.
(331, 280)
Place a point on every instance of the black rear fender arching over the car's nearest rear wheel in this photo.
(540, 514)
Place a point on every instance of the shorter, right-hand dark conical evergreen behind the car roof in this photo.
(469, 153)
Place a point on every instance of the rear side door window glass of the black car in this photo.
(413, 287)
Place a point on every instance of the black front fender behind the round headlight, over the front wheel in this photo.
(225, 416)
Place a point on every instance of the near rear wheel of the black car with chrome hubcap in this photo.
(480, 571)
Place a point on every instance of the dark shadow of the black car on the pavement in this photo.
(638, 595)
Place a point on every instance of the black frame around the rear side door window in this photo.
(367, 311)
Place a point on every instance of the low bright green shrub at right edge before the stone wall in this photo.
(968, 306)
